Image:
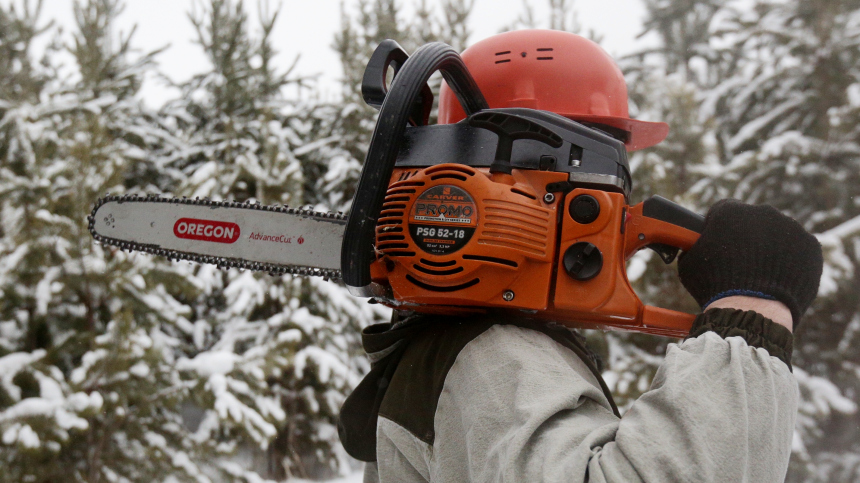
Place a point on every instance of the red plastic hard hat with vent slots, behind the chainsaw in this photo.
(552, 71)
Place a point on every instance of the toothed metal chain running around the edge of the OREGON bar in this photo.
(223, 263)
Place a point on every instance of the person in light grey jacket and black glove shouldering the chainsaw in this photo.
(487, 399)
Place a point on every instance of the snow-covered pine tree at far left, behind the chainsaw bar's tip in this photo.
(88, 388)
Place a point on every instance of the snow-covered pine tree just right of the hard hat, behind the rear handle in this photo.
(665, 83)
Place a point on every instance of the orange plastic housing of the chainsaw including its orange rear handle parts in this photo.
(453, 239)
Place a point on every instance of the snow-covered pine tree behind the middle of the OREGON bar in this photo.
(270, 359)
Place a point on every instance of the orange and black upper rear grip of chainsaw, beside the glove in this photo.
(659, 221)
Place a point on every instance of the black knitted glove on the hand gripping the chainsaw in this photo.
(755, 251)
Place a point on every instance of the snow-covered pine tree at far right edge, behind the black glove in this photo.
(786, 116)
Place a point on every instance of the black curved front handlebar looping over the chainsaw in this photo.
(357, 249)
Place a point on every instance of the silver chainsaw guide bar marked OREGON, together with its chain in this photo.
(281, 241)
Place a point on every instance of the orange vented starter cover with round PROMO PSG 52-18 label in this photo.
(452, 235)
